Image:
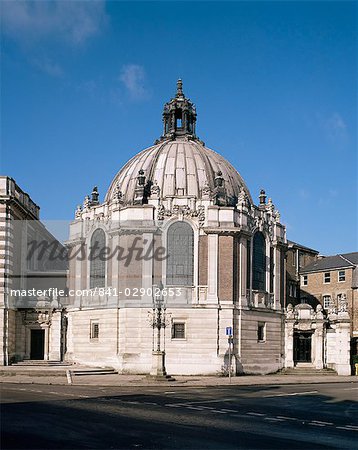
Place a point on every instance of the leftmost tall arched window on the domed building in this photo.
(97, 259)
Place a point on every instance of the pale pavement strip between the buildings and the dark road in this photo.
(45, 377)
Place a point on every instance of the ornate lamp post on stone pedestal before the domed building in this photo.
(158, 320)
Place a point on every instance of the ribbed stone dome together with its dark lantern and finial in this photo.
(178, 165)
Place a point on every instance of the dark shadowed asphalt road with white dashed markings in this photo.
(235, 417)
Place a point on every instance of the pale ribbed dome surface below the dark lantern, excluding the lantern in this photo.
(180, 167)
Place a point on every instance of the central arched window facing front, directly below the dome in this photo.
(180, 262)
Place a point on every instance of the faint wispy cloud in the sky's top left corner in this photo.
(70, 21)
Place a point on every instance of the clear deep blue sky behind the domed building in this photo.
(83, 85)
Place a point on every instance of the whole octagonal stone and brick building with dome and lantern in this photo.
(178, 228)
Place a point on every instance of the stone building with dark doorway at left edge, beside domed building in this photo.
(30, 325)
